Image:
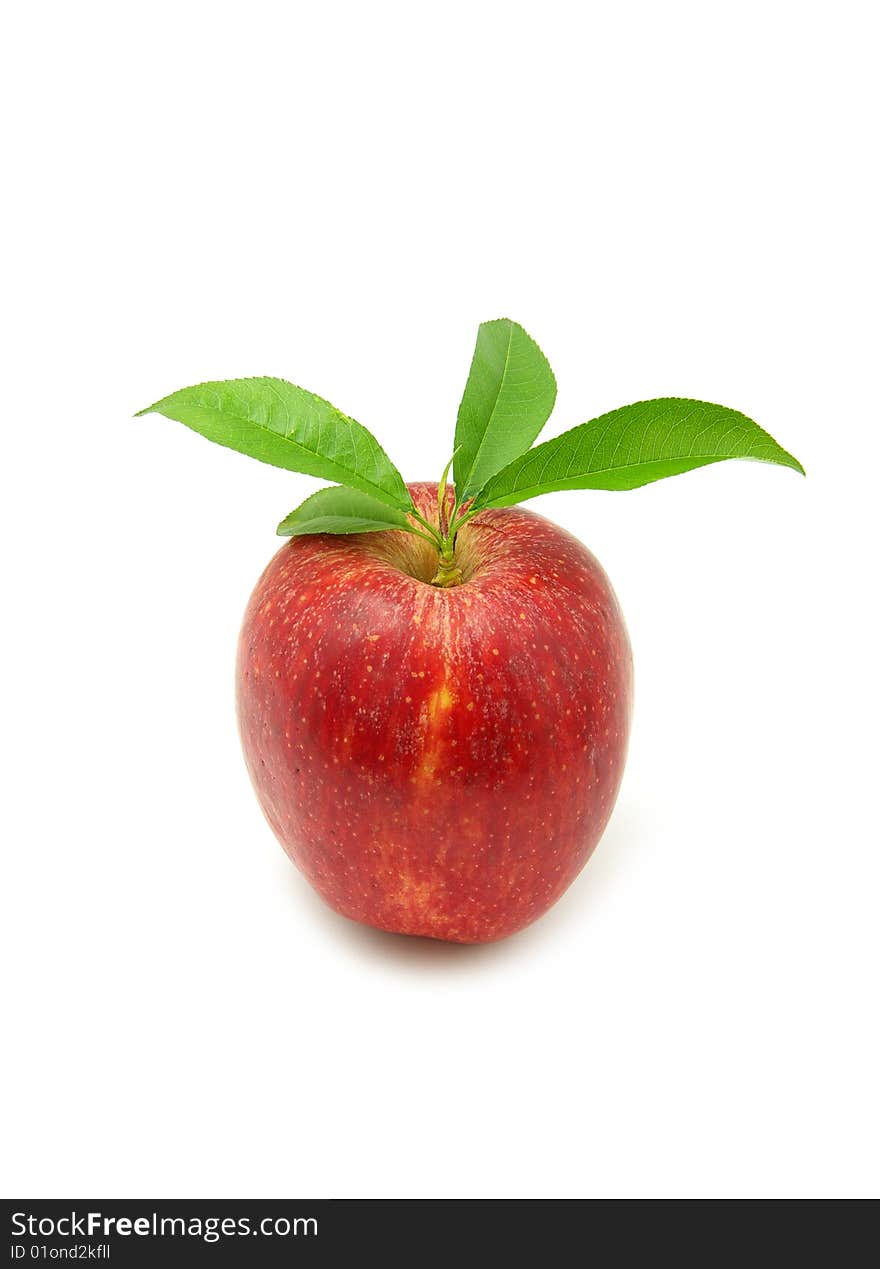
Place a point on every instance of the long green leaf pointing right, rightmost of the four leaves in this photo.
(636, 446)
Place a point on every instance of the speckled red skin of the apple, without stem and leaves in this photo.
(437, 762)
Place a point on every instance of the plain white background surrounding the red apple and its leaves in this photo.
(675, 200)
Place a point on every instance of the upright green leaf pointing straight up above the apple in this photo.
(510, 394)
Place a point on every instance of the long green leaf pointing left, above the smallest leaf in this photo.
(277, 423)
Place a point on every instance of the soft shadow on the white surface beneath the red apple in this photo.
(622, 842)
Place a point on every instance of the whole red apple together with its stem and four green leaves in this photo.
(435, 686)
